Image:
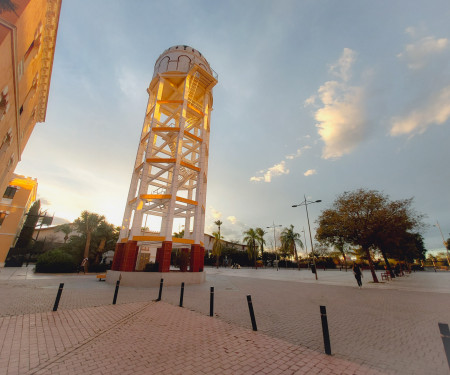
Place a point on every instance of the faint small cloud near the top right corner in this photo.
(418, 54)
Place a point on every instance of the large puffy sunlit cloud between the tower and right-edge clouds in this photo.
(341, 120)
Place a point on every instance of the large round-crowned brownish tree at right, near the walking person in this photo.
(364, 218)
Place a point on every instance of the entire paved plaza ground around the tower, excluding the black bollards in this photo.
(389, 328)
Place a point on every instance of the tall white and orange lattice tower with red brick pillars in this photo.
(168, 183)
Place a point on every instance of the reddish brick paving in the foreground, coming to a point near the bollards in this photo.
(150, 338)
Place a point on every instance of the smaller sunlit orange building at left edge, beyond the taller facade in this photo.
(15, 203)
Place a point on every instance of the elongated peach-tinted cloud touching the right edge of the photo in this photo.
(435, 111)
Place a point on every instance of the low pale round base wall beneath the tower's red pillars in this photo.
(152, 279)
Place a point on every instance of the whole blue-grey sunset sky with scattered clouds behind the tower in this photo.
(314, 98)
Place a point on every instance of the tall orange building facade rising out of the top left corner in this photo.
(27, 46)
